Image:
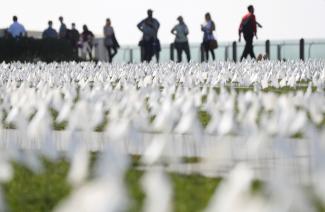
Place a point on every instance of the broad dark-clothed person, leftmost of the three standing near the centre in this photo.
(149, 43)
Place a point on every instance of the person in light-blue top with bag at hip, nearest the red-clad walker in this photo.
(208, 36)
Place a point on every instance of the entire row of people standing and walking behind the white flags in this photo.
(149, 43)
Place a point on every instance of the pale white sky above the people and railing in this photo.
(281, 19)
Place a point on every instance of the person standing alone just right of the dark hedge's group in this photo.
(110, 41)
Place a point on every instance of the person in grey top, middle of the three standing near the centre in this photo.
(181, 41)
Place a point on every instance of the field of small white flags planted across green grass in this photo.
(247, 124)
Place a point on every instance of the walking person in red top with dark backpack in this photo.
(248, 27)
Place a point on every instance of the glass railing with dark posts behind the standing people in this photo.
(278, 50)
